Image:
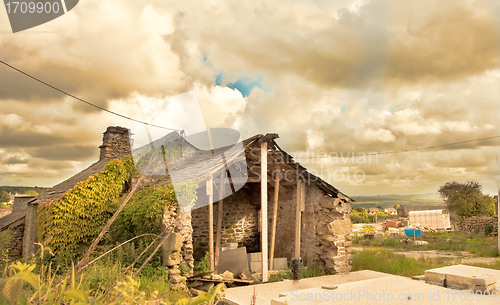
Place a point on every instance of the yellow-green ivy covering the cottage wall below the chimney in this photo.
(78, 217)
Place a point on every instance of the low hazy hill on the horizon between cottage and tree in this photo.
(388, 201)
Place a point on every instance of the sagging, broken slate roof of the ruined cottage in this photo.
(197, 165)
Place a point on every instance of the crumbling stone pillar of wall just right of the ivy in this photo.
(177, 250)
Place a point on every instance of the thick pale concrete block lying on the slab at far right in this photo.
(464, 277)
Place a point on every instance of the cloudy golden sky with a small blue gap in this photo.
(331, 77)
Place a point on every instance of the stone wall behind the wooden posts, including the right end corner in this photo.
(325, 232)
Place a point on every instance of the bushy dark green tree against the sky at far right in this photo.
(465, 199)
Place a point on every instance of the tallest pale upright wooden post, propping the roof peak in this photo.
(263, 209)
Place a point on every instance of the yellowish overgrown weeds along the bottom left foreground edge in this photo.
(22, 284)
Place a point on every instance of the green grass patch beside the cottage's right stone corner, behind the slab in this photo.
(384, 260)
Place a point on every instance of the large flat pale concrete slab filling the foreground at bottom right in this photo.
(360, 287)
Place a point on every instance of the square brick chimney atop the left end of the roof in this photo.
(115, 142)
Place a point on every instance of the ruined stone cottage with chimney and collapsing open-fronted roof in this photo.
(303, 215)
